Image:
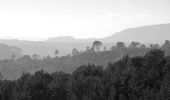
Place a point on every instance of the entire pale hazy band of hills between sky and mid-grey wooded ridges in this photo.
(145, 34)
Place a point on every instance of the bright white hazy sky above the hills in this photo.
(41, 19)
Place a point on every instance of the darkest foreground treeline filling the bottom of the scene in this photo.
(131, 78)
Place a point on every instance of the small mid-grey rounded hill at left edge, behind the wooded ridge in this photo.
(9, 52)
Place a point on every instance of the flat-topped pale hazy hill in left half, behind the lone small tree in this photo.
(45, 48)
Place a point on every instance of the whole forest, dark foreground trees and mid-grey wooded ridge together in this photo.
(133, 72)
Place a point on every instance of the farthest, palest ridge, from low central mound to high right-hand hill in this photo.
(150, 34)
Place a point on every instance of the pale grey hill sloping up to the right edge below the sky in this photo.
(152, 34)
